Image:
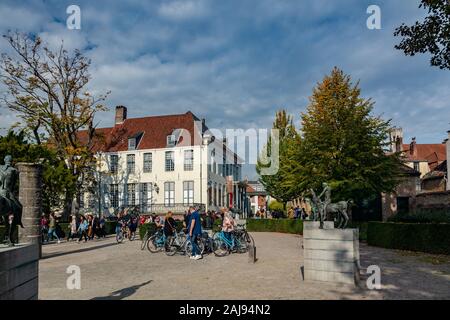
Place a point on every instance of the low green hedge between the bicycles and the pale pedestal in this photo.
(294, 226)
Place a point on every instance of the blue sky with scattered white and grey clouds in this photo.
(236, 62)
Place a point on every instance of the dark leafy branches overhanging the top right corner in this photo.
(432, 35)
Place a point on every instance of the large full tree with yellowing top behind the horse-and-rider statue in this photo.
(343, 144)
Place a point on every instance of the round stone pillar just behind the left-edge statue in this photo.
(30, 190)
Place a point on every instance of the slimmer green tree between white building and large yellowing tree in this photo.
(275, 184)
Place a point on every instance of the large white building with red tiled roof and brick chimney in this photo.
(164, 163)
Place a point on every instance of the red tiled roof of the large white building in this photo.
(155, 131)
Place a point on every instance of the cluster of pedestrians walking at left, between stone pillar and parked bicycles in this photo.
(83, 226)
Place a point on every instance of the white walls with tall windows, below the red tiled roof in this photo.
(130, 179)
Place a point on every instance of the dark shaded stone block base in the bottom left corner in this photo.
(19, 269)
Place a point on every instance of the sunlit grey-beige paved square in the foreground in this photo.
(123, 271)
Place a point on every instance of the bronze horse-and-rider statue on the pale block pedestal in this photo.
(325, 208)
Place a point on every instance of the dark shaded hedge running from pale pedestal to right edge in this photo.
(423, 237)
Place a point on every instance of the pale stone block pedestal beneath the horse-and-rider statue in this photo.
(330, 255)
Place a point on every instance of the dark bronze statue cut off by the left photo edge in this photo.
(10, 207)
